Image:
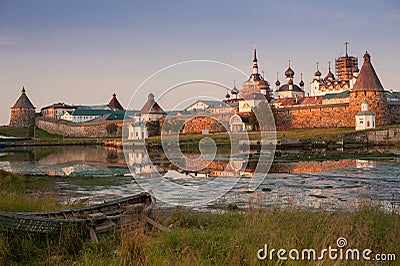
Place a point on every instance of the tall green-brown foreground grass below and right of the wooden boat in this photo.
(231, 238)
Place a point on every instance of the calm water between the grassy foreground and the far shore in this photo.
(97, 173)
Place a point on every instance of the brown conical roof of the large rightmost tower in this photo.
(367, 79)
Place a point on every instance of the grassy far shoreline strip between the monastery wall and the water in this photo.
(304, 139)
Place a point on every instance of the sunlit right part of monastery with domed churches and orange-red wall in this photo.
(351, 98)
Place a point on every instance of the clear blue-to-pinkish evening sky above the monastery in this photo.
(81, 52)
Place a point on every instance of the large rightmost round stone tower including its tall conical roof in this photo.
(369, 88)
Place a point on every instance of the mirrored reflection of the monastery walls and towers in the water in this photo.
(101, 161)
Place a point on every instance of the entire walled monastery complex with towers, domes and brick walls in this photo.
(351, 97)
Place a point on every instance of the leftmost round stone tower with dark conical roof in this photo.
(23, 112)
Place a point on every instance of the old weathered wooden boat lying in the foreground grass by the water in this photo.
(99, 218)
